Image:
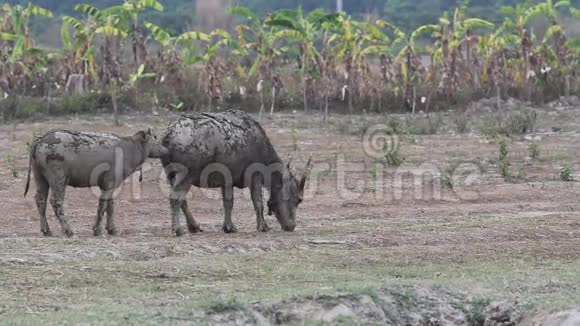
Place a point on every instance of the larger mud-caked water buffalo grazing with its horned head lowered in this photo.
(227, 150)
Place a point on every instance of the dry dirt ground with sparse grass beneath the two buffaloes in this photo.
(486, 239)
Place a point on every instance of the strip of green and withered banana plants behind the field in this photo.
(309, 58)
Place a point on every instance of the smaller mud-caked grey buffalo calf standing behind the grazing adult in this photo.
(63, 158)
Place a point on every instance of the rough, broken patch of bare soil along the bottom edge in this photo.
(408, 306)
